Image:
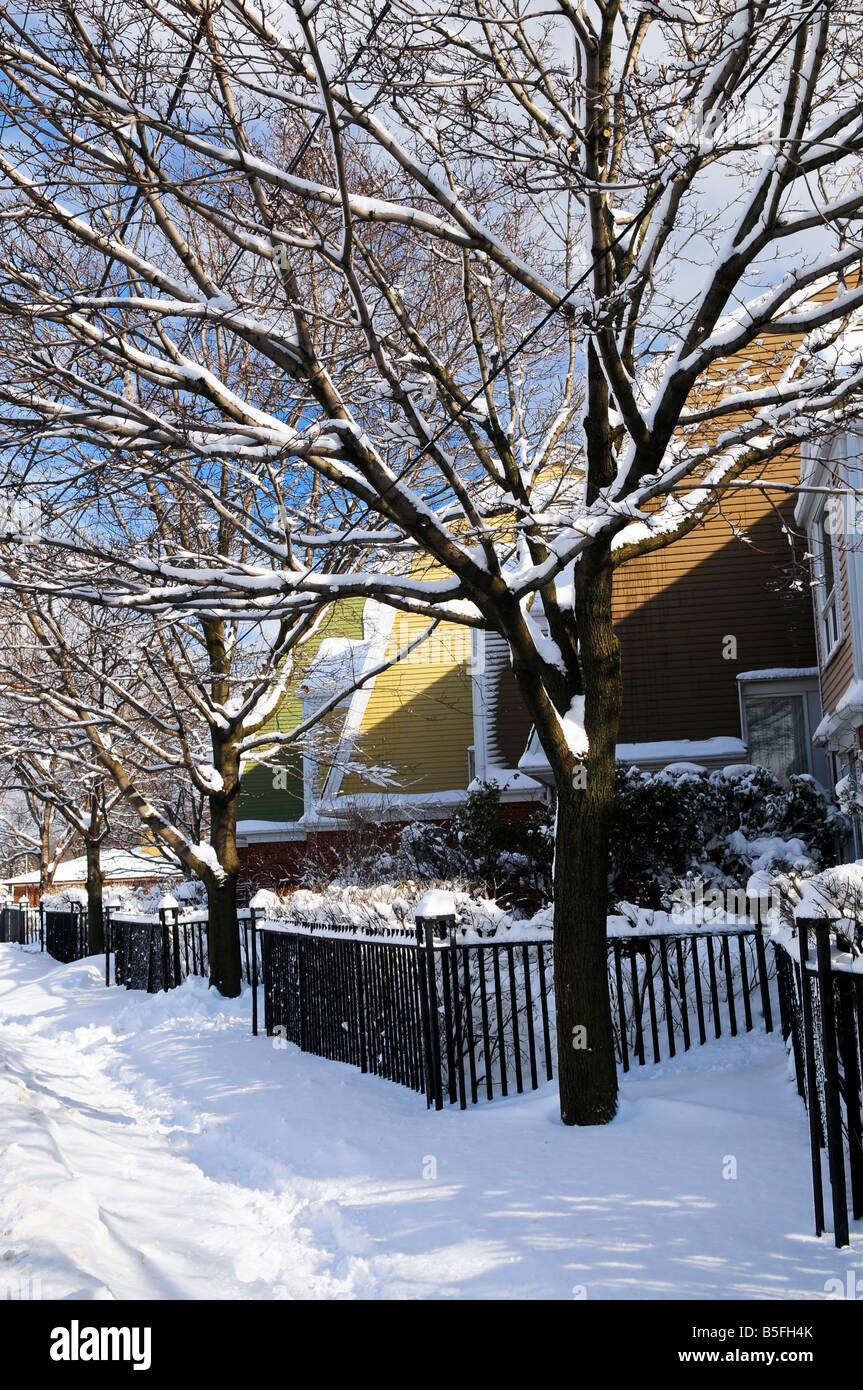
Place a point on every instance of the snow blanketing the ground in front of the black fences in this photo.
(154, 1149)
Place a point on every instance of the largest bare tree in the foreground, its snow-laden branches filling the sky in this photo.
(450, 227)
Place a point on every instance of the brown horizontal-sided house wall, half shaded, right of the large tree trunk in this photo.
(730, 597)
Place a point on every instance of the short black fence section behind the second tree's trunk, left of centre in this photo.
(147, 951)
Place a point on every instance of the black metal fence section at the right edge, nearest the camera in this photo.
(822, 1017)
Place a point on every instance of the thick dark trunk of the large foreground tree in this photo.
(586, 1038)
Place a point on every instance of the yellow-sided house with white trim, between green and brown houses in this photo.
(401, 749)
